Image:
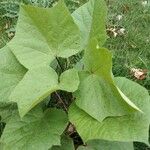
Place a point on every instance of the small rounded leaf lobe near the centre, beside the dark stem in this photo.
(69, 80)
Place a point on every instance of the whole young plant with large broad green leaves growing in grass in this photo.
(102, 108)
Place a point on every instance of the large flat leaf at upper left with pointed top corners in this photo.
(43, 34)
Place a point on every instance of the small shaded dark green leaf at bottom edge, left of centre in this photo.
(66, 144)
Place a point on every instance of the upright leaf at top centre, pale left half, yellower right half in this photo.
(91, 20)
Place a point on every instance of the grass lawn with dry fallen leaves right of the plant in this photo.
(130, 21)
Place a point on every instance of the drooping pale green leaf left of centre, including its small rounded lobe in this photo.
(38, 83)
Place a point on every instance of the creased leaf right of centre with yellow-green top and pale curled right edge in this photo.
(97, 94)
